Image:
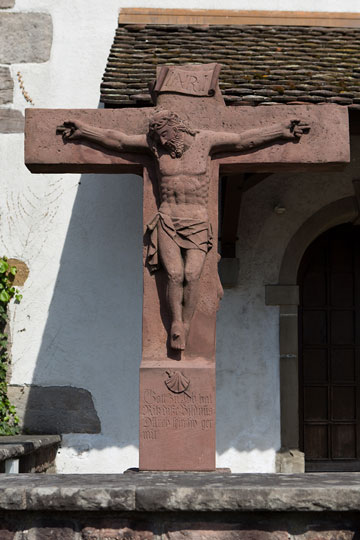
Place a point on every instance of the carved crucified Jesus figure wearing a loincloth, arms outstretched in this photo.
(180, 231)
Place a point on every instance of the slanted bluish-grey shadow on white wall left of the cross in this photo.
(92, 338)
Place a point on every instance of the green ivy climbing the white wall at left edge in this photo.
(9, 422)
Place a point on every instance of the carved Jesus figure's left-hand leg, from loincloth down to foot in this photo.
(172, 261)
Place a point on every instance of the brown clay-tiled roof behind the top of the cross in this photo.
(261, 64)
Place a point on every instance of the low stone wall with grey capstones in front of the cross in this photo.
(174, 506)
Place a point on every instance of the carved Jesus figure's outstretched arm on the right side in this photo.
(253, 138)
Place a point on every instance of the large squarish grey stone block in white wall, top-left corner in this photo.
(25, 37)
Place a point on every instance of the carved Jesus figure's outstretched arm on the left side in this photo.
(75, 130)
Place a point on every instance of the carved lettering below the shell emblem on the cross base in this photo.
(169, 411)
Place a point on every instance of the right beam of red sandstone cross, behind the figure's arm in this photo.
(325, 147)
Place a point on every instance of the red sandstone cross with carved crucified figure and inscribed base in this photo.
(191, 135)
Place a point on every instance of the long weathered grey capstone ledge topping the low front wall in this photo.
(182, 492)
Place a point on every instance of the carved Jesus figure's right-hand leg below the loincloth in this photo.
(194, 262)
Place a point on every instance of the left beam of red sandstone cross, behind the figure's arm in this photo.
(47, 152)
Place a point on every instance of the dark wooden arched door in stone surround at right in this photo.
(329, 346)
